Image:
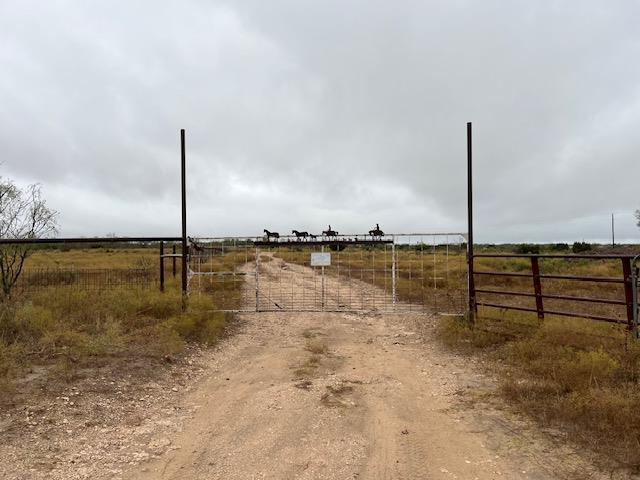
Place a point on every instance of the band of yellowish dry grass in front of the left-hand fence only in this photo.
(61, 325)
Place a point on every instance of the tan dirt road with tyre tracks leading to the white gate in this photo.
(351, 396)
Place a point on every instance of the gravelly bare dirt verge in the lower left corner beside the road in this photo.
(98, 423)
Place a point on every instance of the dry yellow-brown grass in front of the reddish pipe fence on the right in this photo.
(579, 375)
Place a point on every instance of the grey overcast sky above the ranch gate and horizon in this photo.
(304, 113)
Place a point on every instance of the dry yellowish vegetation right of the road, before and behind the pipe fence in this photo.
(576, 375)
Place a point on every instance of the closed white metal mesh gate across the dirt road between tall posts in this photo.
(350, 273)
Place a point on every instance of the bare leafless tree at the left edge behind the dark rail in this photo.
(23, 214)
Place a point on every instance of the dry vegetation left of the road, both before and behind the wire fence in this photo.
(68, 327)
